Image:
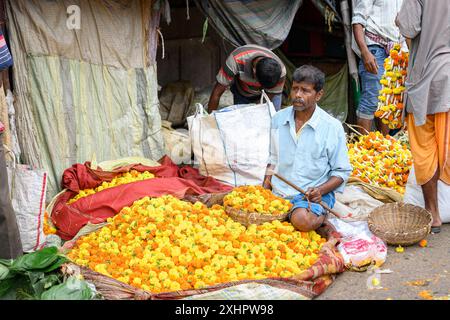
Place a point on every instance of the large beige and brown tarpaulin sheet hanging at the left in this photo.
(85, 92)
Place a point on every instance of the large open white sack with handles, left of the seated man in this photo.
(233, 144)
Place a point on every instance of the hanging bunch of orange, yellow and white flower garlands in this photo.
(390, 100)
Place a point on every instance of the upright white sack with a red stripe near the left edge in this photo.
(28, 187)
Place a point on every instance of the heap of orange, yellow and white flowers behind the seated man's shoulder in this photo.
(380, 161)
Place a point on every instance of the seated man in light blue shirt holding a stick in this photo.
(308, 148)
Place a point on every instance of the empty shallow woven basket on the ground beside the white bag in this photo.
(400, 223)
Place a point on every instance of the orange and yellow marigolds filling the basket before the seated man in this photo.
(256, 199)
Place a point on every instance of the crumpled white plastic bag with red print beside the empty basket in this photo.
(359, 247)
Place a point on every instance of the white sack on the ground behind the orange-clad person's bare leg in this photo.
(414, 195)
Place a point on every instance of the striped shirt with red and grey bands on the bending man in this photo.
(238, 69)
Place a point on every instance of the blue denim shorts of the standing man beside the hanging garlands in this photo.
(370, 84)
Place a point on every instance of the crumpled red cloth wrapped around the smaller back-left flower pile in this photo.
(96, 208)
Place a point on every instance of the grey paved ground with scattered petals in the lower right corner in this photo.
(428, 268)
